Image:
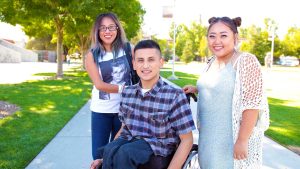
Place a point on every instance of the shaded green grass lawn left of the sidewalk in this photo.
(46, 106)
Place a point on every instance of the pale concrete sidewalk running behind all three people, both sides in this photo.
(71, 147)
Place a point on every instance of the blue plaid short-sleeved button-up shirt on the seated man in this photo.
(159, 116)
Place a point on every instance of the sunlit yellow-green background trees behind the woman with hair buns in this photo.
(191, 41)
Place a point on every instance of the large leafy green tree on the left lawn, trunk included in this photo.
(68, 21)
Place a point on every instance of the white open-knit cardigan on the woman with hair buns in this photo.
(249, 93)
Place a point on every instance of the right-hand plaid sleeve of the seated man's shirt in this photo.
(181, 115)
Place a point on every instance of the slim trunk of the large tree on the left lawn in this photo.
(59, 32)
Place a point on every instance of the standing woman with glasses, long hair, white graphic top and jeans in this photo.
(107, 51)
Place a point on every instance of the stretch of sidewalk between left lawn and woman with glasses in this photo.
(71, 147)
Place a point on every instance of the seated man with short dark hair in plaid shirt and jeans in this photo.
(156, 119)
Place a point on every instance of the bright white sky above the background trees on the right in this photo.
(284, 12)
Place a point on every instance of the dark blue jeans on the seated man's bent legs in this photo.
(122, 153)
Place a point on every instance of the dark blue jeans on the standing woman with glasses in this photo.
(104, 128)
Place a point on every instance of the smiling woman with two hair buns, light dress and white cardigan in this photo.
(233, 104)
